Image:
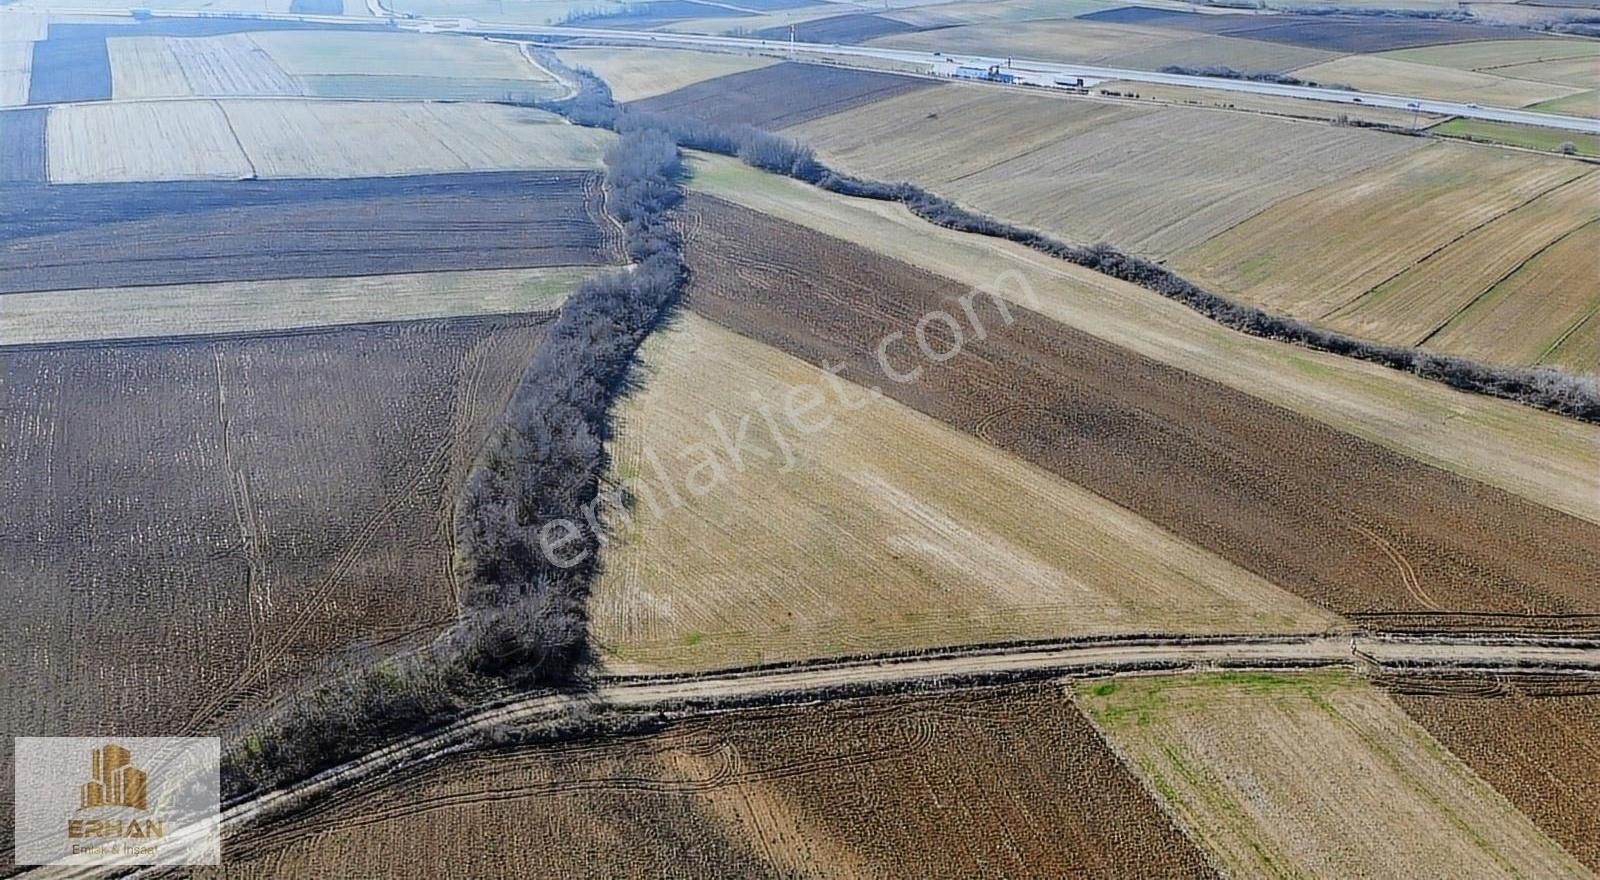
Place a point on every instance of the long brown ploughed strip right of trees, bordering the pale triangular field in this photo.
(1326, 516)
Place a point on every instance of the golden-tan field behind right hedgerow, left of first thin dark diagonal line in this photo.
(1318, 254)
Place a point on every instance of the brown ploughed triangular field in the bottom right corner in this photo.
(1538, 745)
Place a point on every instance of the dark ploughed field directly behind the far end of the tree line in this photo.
(782, 95)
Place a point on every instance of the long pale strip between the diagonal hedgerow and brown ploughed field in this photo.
(1545, 458)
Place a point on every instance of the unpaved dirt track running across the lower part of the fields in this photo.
(831, 681)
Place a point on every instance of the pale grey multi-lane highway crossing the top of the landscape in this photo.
(930, 60)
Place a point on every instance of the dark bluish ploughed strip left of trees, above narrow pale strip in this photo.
(145, 234)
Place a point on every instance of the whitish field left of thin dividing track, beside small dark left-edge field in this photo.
(156, 142)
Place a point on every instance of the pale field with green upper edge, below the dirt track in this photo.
(1314, 775)
